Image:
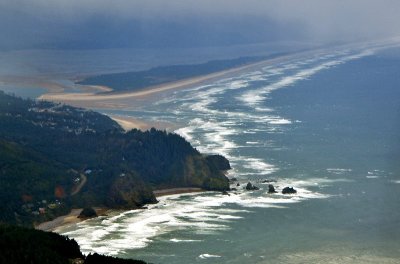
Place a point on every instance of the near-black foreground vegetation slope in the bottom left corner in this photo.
(24, 245)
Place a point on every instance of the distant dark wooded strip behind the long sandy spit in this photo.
(164, 74)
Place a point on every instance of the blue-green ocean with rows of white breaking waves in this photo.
(326, 124)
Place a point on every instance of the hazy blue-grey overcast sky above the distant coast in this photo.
(186, 23)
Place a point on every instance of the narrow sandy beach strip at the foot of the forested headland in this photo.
(72, 217)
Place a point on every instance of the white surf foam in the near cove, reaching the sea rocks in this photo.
(201, 213)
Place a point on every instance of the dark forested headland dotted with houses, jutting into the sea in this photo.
(54, 157)
